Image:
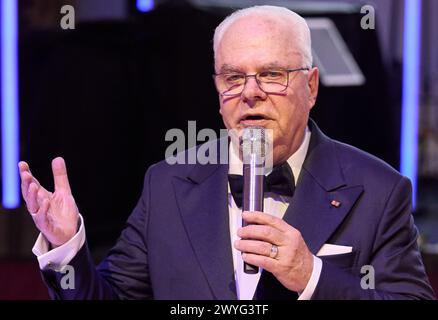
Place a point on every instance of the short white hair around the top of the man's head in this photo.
(297, 24)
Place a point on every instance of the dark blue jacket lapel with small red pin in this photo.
(320, 182)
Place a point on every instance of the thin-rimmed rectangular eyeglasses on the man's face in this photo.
(270, 81)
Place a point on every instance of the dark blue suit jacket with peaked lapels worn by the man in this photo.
(176, 244)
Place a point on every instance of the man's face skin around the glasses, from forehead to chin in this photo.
(251, 45)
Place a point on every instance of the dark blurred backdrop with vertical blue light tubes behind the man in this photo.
(102, 88)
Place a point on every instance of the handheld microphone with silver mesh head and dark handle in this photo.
(253, 152)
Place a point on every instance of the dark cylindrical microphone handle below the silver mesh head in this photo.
(253, 179)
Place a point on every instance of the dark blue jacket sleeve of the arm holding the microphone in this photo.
(398, 267)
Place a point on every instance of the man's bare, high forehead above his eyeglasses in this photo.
(258, 40)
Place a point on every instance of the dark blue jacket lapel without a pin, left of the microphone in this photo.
(203, 204)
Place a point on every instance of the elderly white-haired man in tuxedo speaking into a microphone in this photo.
(342, 209)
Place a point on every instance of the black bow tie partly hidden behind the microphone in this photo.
(280, 181)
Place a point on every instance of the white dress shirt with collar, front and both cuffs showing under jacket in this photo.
(246, 284)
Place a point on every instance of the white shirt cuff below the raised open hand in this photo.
(59, 257)
